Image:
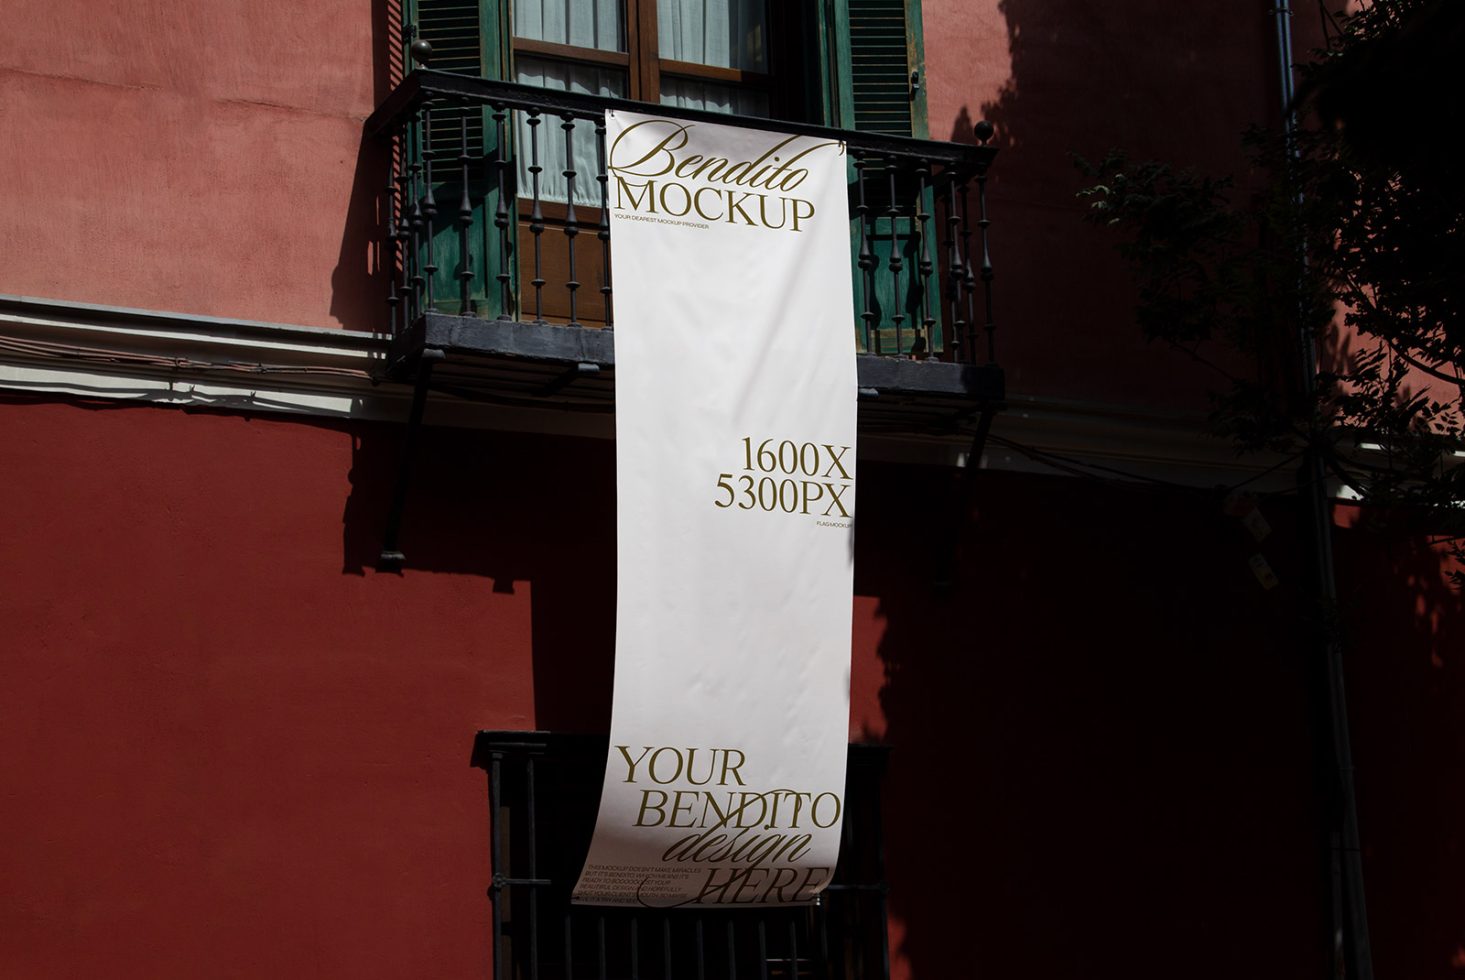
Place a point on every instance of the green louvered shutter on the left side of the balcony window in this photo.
(467, 39)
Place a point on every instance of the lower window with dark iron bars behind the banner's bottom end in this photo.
(544, 790)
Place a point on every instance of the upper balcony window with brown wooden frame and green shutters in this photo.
(845, 64)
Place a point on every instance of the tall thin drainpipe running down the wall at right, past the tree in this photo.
(1353, 957)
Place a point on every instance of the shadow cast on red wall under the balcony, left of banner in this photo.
(518, 511)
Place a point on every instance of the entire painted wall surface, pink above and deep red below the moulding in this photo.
(235, 749)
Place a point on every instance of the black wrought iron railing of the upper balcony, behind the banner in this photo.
(497, 209)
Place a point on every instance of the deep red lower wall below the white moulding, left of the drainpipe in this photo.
(235, 749)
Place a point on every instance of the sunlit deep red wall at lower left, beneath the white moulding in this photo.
(226, 754)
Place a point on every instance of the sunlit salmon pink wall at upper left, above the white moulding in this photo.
(200, 157)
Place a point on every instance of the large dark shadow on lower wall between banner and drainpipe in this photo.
(1102, 761)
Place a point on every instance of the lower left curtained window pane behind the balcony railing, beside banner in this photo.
(575, 78)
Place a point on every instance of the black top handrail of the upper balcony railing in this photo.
(426, 86)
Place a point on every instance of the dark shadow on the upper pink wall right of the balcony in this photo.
(1162, 81)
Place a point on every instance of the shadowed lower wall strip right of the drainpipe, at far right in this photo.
(1404, 636)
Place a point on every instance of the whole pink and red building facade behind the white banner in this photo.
(303, 502)
